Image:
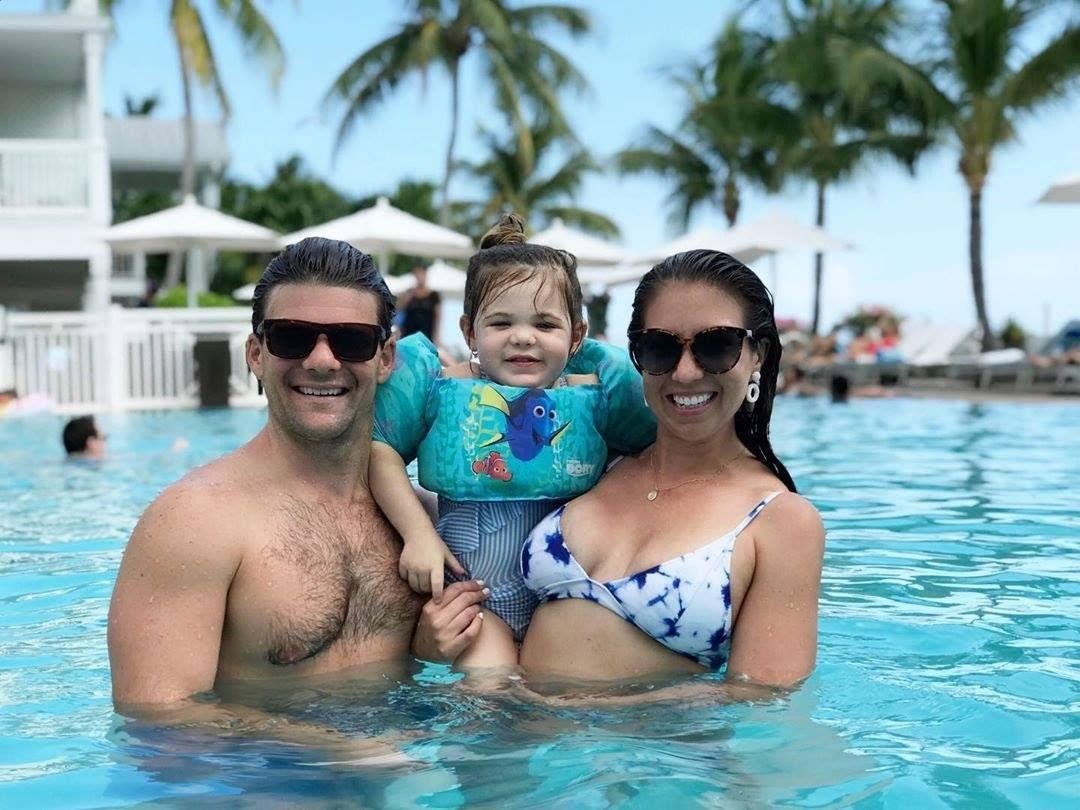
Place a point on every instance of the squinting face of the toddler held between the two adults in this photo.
(523, 336)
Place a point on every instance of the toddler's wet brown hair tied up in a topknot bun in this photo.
(506, 260)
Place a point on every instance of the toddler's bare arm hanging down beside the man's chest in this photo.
(425, 555)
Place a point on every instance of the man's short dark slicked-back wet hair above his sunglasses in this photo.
(327, 262)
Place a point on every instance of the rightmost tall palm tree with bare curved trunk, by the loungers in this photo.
(990, 79)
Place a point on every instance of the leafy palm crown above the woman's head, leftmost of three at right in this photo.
(733, 129)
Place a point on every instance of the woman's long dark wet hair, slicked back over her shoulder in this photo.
(734, 278)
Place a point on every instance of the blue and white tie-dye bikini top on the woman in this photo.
(684, 603)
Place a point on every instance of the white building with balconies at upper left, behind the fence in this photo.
(61, 157)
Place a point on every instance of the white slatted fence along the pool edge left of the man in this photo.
(124, 359)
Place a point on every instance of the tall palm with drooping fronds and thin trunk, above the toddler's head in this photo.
(523, 69)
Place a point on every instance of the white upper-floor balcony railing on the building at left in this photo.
(39, 175)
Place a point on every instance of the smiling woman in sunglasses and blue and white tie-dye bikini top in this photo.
(697, 553)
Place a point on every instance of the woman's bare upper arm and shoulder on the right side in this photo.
(775, 641)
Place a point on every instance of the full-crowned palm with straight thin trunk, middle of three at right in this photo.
(854, 100)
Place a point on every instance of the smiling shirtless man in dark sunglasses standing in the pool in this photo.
(274, 562)
